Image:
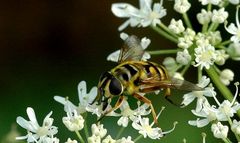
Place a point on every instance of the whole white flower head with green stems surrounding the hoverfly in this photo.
(205, 49)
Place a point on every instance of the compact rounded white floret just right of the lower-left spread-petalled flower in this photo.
(74, 121)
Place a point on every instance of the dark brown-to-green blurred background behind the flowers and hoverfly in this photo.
(48, 47)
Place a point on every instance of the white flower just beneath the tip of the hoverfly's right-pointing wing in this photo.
(200, 95)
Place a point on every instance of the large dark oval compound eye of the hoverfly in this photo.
(115, 87)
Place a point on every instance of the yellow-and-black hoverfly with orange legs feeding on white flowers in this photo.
(132, 76)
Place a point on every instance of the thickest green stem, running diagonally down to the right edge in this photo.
(221, 87)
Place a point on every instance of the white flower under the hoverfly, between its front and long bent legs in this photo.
(127, 113)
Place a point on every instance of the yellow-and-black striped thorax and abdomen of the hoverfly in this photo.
(131, 73)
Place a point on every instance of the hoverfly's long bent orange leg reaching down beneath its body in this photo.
(147, 101)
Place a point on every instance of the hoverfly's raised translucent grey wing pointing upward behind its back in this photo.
(131, 50)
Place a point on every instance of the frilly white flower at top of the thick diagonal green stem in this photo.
(205, 56)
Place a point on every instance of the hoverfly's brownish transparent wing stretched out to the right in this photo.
(173, 83)
